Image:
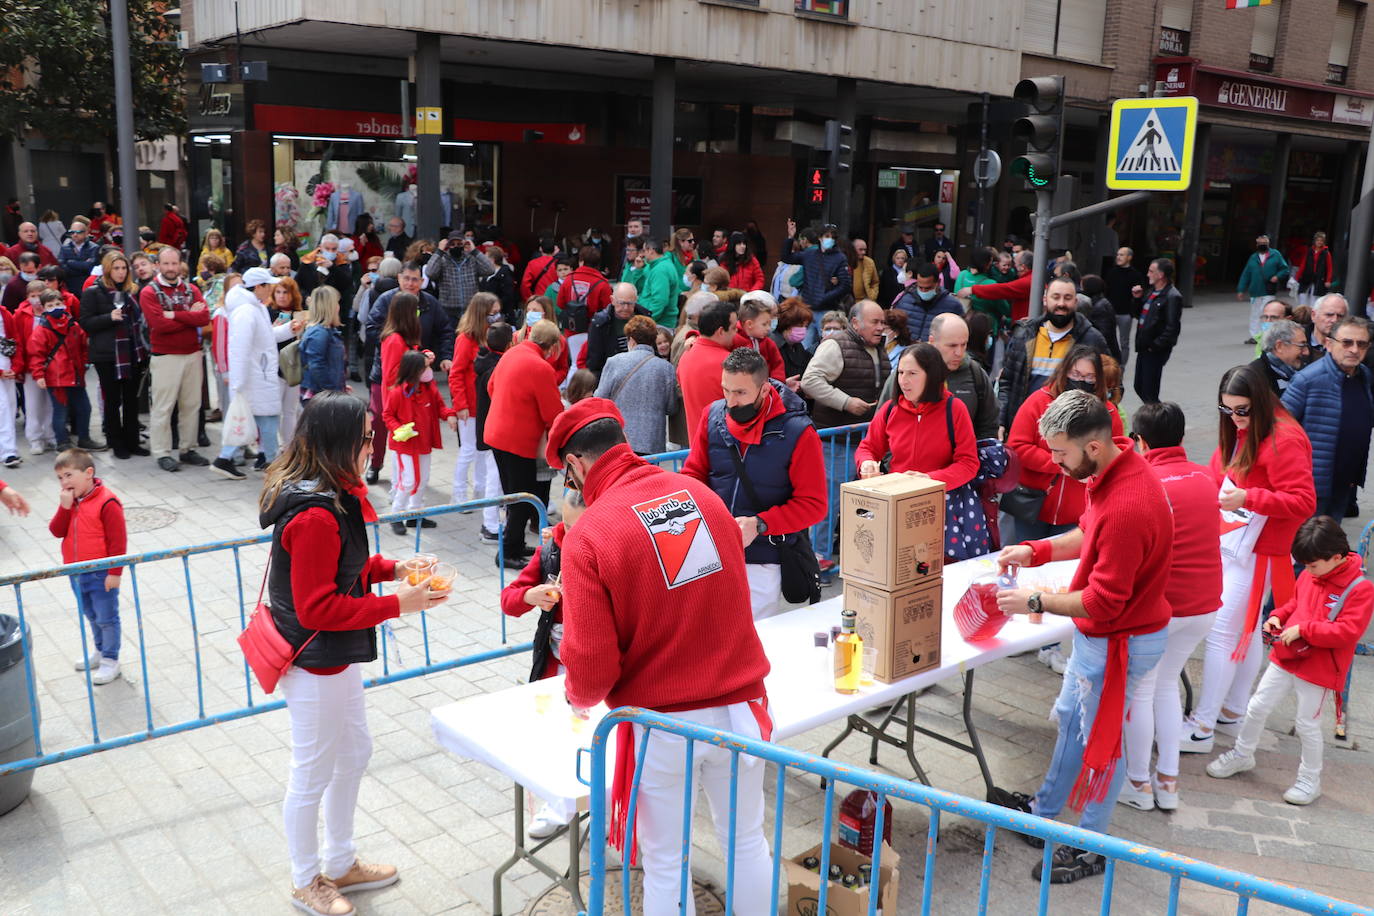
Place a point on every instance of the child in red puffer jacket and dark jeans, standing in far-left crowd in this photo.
(57, 360)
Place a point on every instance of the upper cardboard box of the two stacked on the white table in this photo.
(892, 531)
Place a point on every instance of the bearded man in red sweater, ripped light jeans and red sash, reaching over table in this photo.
(1125, 547)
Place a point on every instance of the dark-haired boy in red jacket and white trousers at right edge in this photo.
(1314, 637)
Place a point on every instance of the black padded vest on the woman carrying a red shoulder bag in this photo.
(332, 648)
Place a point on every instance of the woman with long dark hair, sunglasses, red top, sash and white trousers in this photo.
(1263, 466)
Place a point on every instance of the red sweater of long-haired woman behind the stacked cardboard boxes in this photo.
(919, 437)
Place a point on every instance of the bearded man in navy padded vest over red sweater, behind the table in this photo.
(763, 425)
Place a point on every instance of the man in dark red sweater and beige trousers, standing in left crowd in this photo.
(175, 312)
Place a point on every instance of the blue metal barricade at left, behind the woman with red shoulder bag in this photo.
(255, 701)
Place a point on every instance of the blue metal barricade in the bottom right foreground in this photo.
(1178, 869)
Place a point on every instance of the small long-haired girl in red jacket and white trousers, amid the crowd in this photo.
(412, 413)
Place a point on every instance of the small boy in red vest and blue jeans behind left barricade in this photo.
(90, 521)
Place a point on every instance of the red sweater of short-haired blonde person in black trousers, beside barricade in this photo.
(526, 400)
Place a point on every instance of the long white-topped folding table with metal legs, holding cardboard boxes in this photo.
(530, 734)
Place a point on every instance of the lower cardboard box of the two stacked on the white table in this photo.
(905, 626)
